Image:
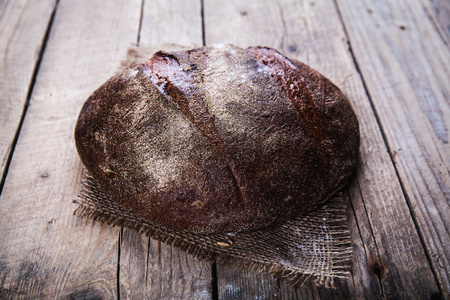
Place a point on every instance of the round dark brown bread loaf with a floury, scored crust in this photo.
(218, 139)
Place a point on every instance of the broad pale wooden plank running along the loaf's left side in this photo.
(46, 252)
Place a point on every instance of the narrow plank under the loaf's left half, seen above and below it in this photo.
(149, 269)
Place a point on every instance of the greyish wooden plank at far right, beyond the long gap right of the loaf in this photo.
(405, 65)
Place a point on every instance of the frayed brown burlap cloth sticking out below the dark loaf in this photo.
(317, 244)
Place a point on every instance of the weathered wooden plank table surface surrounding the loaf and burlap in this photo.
(391, 58)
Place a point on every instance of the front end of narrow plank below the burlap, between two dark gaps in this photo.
(152, 270)
